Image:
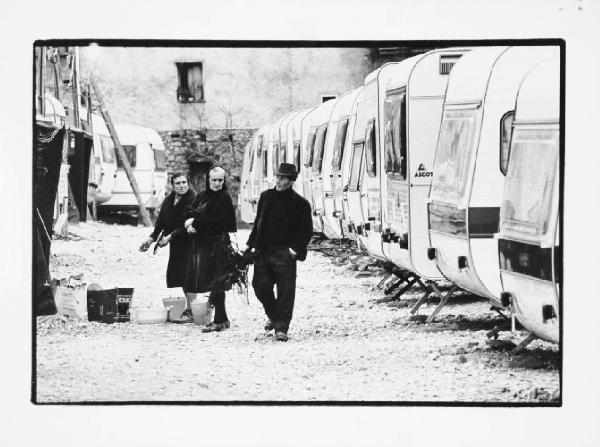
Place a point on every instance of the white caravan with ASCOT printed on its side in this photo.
(411, 96)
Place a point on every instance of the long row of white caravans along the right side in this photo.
(444, 165)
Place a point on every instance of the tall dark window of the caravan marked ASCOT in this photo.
(394, 122)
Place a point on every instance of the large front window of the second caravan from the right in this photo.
(453, 155)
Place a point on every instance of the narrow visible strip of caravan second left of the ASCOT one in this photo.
(352, 176)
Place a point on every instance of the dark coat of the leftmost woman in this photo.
(170, 221)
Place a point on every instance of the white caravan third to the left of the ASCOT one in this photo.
(331, 168)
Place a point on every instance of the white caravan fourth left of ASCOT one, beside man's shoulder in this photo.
(313, 160)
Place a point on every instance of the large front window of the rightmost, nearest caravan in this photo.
(529, 182)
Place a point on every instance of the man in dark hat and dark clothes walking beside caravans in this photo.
(280, 235)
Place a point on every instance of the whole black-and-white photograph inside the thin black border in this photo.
(336, 199)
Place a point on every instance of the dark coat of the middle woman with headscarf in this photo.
(209, 263)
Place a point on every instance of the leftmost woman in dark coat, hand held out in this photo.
(170, 223)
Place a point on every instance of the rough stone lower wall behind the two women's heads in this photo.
(194, 150)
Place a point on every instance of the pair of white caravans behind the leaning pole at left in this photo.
(146, 155)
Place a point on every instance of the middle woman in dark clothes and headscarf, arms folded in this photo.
(209, 221)
